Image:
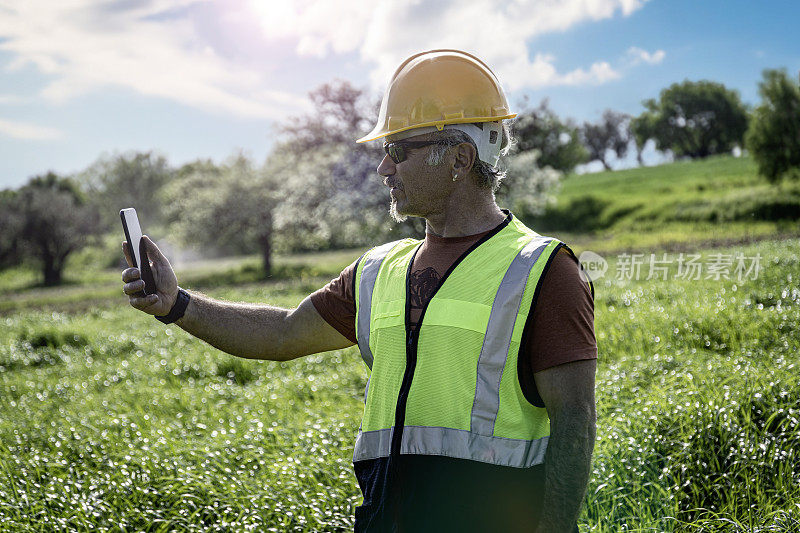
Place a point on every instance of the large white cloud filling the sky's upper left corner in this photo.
(83, 46)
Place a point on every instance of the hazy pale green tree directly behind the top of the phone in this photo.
(128, 180)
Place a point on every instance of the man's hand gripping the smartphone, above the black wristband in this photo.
(166, 282)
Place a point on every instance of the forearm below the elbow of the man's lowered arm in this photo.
(567, 467)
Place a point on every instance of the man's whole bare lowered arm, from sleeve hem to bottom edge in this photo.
(568, 394)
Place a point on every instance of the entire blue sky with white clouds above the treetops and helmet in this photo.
(194, 79)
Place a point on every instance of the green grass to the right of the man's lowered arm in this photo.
(699, 401)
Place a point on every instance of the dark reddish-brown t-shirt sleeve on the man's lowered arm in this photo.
(562, 326)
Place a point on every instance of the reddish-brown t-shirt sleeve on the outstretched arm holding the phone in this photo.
(336, 303)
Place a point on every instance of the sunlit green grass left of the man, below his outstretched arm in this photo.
(139, 427)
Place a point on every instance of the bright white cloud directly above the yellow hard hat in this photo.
(497, 31)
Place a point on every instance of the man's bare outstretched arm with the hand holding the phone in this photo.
(251, 331)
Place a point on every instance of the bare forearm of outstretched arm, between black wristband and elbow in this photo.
(244, 330)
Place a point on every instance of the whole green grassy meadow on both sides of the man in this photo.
(111, 421)
